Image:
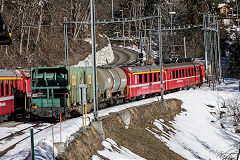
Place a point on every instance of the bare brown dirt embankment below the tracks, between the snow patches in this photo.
(136, 138)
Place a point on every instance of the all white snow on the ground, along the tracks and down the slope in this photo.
(197, 133)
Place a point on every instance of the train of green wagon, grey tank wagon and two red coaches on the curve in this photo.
(66, 90)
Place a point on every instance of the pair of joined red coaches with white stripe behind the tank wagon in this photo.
(144, 80)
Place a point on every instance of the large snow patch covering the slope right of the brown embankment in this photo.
(199, 134)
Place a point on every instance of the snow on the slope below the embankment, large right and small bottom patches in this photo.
(198, 133)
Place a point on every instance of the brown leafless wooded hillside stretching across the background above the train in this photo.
(37, 28)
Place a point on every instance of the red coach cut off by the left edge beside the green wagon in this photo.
(14, 85)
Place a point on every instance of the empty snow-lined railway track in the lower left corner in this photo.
(21, 132)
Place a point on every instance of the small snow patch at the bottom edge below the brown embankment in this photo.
(113, 151)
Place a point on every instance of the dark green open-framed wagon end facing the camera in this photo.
(49, 91)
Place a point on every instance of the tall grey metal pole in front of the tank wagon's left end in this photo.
(93, 35)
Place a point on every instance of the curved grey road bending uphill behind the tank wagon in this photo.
(123, 56)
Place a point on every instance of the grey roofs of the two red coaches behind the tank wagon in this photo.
(166, 66)
